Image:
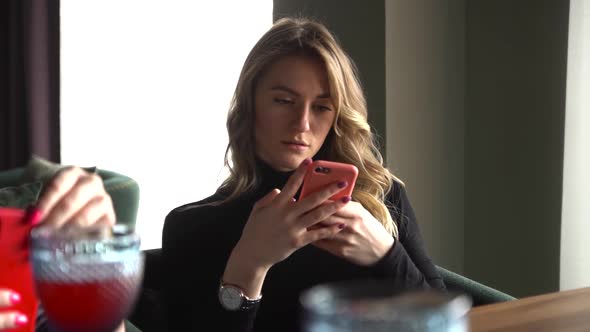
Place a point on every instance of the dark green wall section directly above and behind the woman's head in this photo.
(360, 27)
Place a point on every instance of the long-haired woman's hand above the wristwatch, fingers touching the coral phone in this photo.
(277, 227)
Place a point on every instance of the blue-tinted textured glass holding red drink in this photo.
(87, 279)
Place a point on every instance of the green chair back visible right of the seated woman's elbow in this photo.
(480, 294)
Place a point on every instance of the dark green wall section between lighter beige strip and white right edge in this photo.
(516, 53)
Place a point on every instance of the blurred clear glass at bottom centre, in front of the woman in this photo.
(374, 307)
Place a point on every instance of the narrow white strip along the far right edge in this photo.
(575, 214)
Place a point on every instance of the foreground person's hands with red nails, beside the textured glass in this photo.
(72, 197)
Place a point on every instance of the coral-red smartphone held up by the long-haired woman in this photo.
(321, 173)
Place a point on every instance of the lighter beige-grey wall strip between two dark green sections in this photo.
(425, 93)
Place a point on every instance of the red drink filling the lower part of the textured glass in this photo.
(97, 306)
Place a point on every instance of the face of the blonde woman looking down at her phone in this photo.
(293, 111)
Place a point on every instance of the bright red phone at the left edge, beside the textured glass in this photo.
(15, 269)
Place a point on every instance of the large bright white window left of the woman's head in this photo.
(145, 89)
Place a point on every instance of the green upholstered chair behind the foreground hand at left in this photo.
(124, 191)
